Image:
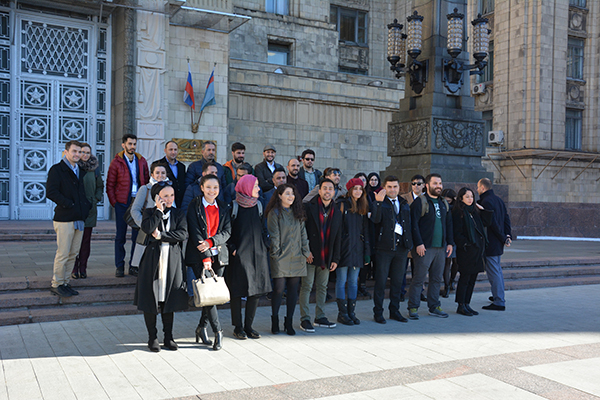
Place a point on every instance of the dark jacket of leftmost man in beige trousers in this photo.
(68, 192)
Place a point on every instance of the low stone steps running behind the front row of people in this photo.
(28, 300)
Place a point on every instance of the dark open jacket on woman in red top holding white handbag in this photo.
(196, 219)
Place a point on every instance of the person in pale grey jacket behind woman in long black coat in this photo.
(143, 200)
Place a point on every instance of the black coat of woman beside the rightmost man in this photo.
(470, 253)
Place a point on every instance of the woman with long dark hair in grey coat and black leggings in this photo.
(289, 251)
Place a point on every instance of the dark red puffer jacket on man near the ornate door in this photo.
(118, 180)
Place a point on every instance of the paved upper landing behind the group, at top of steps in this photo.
(30, 258)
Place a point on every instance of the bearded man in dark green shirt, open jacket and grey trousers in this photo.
(433, 238)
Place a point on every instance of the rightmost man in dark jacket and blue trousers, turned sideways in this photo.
(499, 235)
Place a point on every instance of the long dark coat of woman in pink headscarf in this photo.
(248, 270)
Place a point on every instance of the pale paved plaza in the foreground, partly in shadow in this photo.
(542, 347)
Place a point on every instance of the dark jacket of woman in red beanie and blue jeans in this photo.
(355, 237)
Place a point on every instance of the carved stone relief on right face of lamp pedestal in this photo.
(458, 135)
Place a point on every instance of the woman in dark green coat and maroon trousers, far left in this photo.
(94, 191)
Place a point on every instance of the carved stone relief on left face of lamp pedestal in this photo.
(407, 136)
